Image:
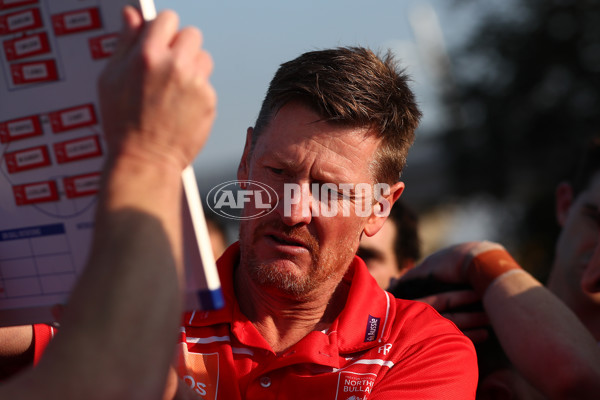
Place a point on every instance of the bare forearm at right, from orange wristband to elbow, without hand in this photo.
(543, 338)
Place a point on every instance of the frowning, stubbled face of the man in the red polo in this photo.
(291, 250)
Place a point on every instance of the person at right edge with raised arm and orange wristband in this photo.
(543, 341)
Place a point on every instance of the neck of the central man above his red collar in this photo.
(284, 320)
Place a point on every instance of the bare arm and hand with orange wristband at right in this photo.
(541, 336)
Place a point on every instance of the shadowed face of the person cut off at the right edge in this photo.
(575, 263)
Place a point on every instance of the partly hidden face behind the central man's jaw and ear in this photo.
(378, 253)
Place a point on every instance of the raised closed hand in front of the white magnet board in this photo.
(157, 92)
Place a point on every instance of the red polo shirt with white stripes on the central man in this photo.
(379, 347)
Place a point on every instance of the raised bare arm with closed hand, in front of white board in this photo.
(120, 325)
